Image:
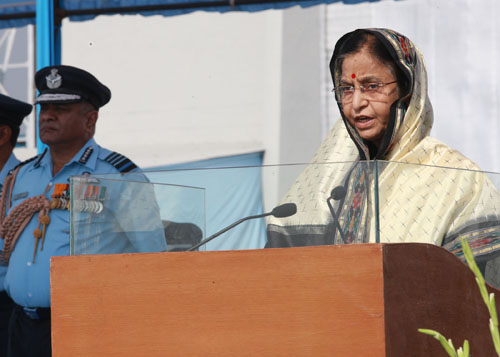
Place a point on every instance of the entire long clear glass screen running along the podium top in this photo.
(337, 203)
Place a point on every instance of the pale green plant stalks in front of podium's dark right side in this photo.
(489, 300)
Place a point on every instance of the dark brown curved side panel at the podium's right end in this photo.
(427, 287)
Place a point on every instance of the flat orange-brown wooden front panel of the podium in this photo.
(313, 301)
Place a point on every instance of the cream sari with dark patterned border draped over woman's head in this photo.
(413, 188)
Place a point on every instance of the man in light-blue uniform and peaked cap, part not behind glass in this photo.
(32, 228)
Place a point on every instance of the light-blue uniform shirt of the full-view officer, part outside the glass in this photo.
(28, 283)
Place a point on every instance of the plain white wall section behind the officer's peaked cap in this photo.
(184, 88)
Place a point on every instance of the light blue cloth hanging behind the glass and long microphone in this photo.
(233, 190)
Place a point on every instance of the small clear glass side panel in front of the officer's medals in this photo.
(126, 213)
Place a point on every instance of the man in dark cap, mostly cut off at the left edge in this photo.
(12, 113)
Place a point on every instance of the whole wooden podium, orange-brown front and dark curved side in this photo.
(357, 300)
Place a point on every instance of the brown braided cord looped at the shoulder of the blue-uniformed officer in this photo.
(12, 225)
